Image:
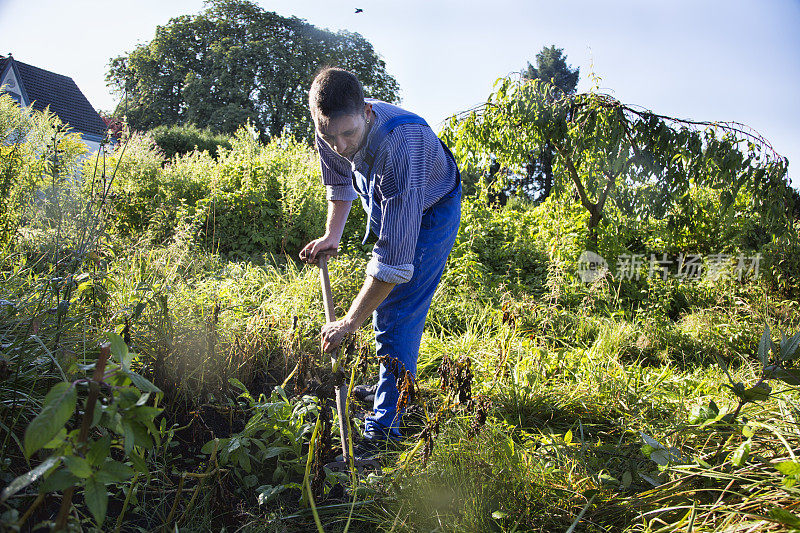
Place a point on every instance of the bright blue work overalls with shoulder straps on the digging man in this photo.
(399, 320)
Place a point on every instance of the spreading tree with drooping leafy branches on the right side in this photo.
(604, 151)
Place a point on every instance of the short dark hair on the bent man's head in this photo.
(335, 92)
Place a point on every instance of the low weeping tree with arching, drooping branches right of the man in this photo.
(600, 139)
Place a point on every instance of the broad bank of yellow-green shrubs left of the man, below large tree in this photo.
(253, 200)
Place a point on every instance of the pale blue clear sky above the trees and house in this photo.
(731, 60)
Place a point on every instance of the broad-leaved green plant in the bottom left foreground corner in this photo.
(104, 445)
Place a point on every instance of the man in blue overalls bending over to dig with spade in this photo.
(410, 187)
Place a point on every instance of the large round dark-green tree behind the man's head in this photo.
(233, 63)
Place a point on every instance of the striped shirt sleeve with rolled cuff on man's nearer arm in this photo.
(403, 190)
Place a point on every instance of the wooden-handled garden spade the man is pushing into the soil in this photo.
(340, 390)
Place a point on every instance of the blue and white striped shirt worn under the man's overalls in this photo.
(411, 173)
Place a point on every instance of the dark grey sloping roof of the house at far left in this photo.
(43, 88)
